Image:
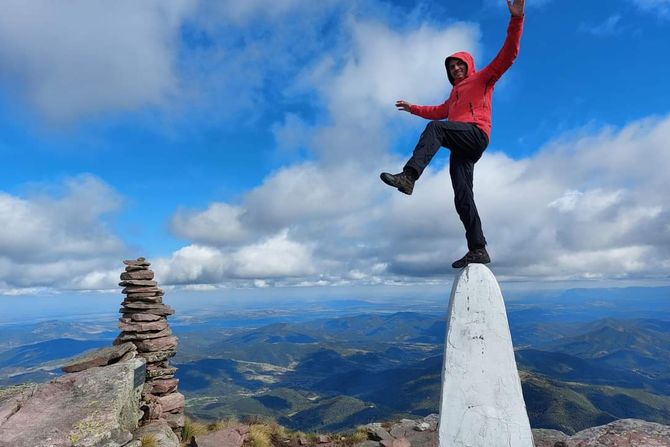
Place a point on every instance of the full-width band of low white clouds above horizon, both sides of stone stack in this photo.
(582, 207)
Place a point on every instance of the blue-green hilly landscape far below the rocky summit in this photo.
(335, 373)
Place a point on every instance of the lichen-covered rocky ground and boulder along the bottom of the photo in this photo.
(103, 410)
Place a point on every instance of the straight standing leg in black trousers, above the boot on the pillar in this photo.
(462, 171)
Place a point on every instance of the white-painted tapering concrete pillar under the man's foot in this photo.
(481, 403)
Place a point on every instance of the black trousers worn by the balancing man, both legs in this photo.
(467, 144)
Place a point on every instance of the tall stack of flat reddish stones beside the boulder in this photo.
(144, 323)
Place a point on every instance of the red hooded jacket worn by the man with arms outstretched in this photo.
(470, 98)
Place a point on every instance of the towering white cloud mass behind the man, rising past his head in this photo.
(573, 210)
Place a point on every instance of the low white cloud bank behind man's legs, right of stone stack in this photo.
(582, 207)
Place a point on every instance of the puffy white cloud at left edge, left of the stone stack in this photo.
(58, 236)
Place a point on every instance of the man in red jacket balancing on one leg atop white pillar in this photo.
(465, 133)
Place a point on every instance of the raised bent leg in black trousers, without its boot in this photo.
(464, 139)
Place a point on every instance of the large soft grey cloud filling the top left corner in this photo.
(82, 57)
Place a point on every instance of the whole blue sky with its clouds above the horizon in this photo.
(238, 144)
